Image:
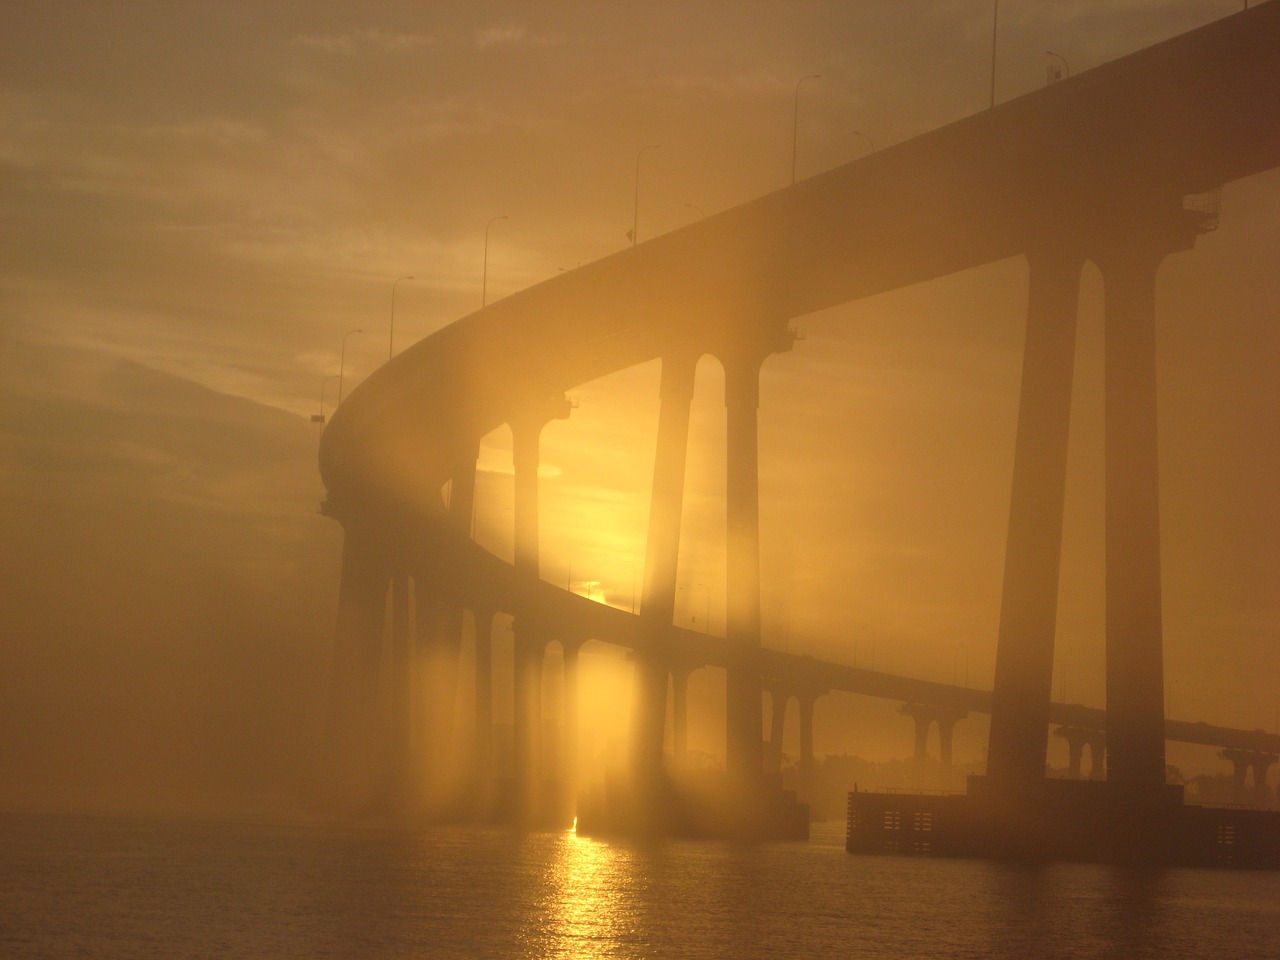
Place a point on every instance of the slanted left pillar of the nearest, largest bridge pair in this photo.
(1028, 614)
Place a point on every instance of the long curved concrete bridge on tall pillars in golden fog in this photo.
(1094, 168)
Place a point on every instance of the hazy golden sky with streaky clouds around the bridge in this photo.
(203, 202)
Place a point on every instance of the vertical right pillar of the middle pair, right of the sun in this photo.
(744, 757)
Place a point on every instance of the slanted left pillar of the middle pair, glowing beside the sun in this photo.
(662, 552)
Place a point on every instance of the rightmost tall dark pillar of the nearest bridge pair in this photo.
(1135, 659)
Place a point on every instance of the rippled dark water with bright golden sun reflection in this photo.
(90, 888)
